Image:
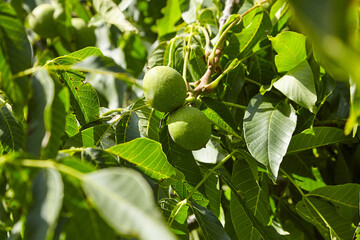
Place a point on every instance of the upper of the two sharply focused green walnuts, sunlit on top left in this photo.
(164, 88)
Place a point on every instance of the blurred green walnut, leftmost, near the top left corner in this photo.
(41, 20)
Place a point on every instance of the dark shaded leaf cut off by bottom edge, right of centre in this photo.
(209, 224)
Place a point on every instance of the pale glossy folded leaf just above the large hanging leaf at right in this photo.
(298, 85)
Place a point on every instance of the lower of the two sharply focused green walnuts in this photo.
(189, 128)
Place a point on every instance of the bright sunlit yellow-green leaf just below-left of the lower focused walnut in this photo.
(147, 155)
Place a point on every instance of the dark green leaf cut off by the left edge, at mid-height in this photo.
(11, 132)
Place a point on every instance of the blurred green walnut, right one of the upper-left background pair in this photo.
(84, 36)
